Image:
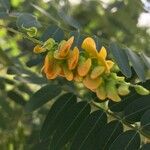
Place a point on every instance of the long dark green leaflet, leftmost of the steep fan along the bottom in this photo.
(55, 114)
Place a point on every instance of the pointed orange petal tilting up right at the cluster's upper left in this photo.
(65, 47)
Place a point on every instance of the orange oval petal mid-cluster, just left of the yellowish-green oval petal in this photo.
(84, 67)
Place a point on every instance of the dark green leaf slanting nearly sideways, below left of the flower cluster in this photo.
(42, 96)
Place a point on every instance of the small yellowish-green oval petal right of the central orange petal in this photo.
(97, 71)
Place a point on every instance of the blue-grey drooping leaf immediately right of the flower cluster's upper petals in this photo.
(121, 59)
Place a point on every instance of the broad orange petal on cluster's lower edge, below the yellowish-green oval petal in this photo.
(92, 84)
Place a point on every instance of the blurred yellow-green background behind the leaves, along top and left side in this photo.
(125, 21)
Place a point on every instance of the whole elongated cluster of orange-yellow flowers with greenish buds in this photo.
(89, 66)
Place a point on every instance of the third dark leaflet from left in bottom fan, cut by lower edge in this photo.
(85, 137)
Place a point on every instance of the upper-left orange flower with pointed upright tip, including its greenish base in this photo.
(64, 48)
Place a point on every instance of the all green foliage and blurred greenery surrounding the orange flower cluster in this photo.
(75, 118)
